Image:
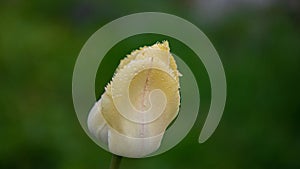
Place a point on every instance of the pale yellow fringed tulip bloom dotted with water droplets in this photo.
(139, 103)
